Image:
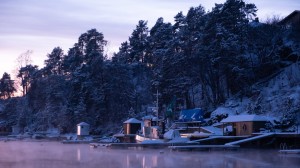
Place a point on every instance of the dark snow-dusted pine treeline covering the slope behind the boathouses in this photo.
(199, 61)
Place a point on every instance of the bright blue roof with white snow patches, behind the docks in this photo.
(191, 115)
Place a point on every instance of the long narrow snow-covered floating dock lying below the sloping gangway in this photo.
(204, 147)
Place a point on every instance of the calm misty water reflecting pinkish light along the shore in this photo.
(56, 155)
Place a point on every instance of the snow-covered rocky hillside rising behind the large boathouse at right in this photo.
(277, 97)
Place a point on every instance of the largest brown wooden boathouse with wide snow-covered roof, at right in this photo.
(240, 125)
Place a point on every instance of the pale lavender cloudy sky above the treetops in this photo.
(41, 25)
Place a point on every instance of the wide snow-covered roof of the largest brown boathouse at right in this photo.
(241, 118)
